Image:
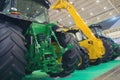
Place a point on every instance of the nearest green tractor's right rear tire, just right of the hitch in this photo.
(70, 59)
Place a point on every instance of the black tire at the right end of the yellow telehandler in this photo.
(108, 50)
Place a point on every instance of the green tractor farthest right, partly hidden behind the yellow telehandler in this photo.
(115, 48)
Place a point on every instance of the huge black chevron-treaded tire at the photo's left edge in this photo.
(12, 49)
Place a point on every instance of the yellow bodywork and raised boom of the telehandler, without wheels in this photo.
(93, 45)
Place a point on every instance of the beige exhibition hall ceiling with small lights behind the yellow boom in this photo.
(92, 11)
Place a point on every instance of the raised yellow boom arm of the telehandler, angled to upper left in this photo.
(65, 4)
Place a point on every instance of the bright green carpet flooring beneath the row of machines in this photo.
(89, 74)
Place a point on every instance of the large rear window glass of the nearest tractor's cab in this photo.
(30, 10)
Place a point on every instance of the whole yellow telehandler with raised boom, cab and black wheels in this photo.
(95, 47)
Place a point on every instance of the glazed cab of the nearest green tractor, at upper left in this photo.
(31, 10)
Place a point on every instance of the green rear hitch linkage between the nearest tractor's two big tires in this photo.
(41, 53)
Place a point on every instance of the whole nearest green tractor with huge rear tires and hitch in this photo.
(28, 42)
